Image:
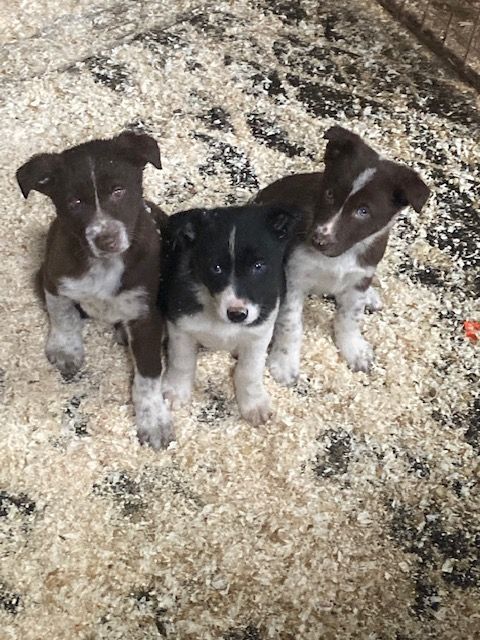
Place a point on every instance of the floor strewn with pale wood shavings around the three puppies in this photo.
(353, 514)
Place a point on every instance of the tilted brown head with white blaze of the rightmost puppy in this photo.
(362, 193)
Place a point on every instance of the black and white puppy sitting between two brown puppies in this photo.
(224, 281)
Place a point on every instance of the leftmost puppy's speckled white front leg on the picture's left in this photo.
(64, 347)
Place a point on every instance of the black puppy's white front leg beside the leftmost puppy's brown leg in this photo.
(182, 361)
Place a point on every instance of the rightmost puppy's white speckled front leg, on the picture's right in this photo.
(353, 347)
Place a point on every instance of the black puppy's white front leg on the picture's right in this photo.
(253, 400)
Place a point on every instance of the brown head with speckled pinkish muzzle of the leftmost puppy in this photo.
(96, 188)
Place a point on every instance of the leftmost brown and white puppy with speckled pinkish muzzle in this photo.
(102, 257)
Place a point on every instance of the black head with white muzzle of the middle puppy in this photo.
(236, 258)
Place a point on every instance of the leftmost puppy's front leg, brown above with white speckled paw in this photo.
(154, 424)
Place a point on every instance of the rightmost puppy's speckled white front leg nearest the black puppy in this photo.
(284, 357)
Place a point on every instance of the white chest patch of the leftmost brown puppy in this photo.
(96, 292)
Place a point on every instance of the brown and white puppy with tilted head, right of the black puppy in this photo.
(348, 210)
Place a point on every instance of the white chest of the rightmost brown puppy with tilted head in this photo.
(313, 272)
